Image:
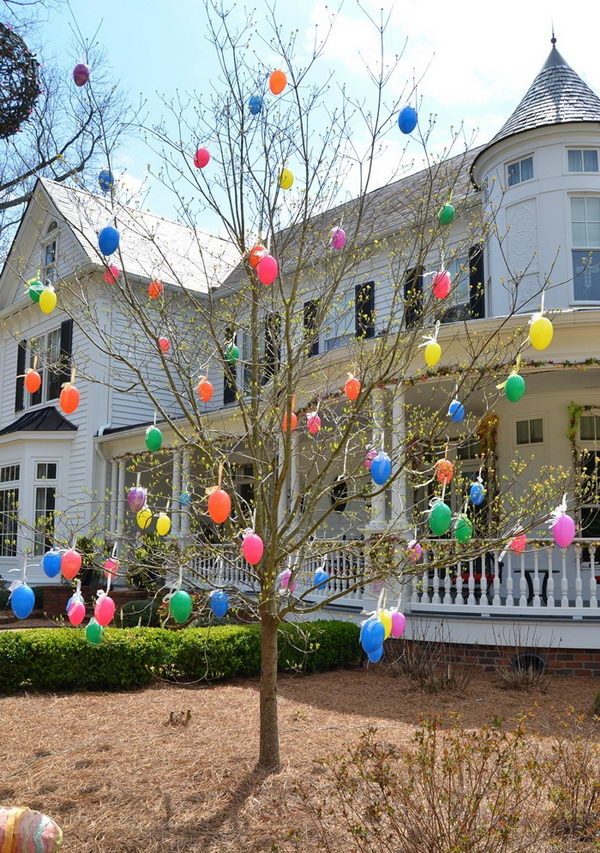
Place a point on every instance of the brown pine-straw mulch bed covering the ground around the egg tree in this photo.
(119, 778)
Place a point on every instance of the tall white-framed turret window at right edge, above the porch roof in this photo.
(585, 237)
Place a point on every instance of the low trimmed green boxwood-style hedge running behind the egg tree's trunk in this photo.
(61, 658)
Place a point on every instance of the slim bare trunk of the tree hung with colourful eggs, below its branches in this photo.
(269, 730)
